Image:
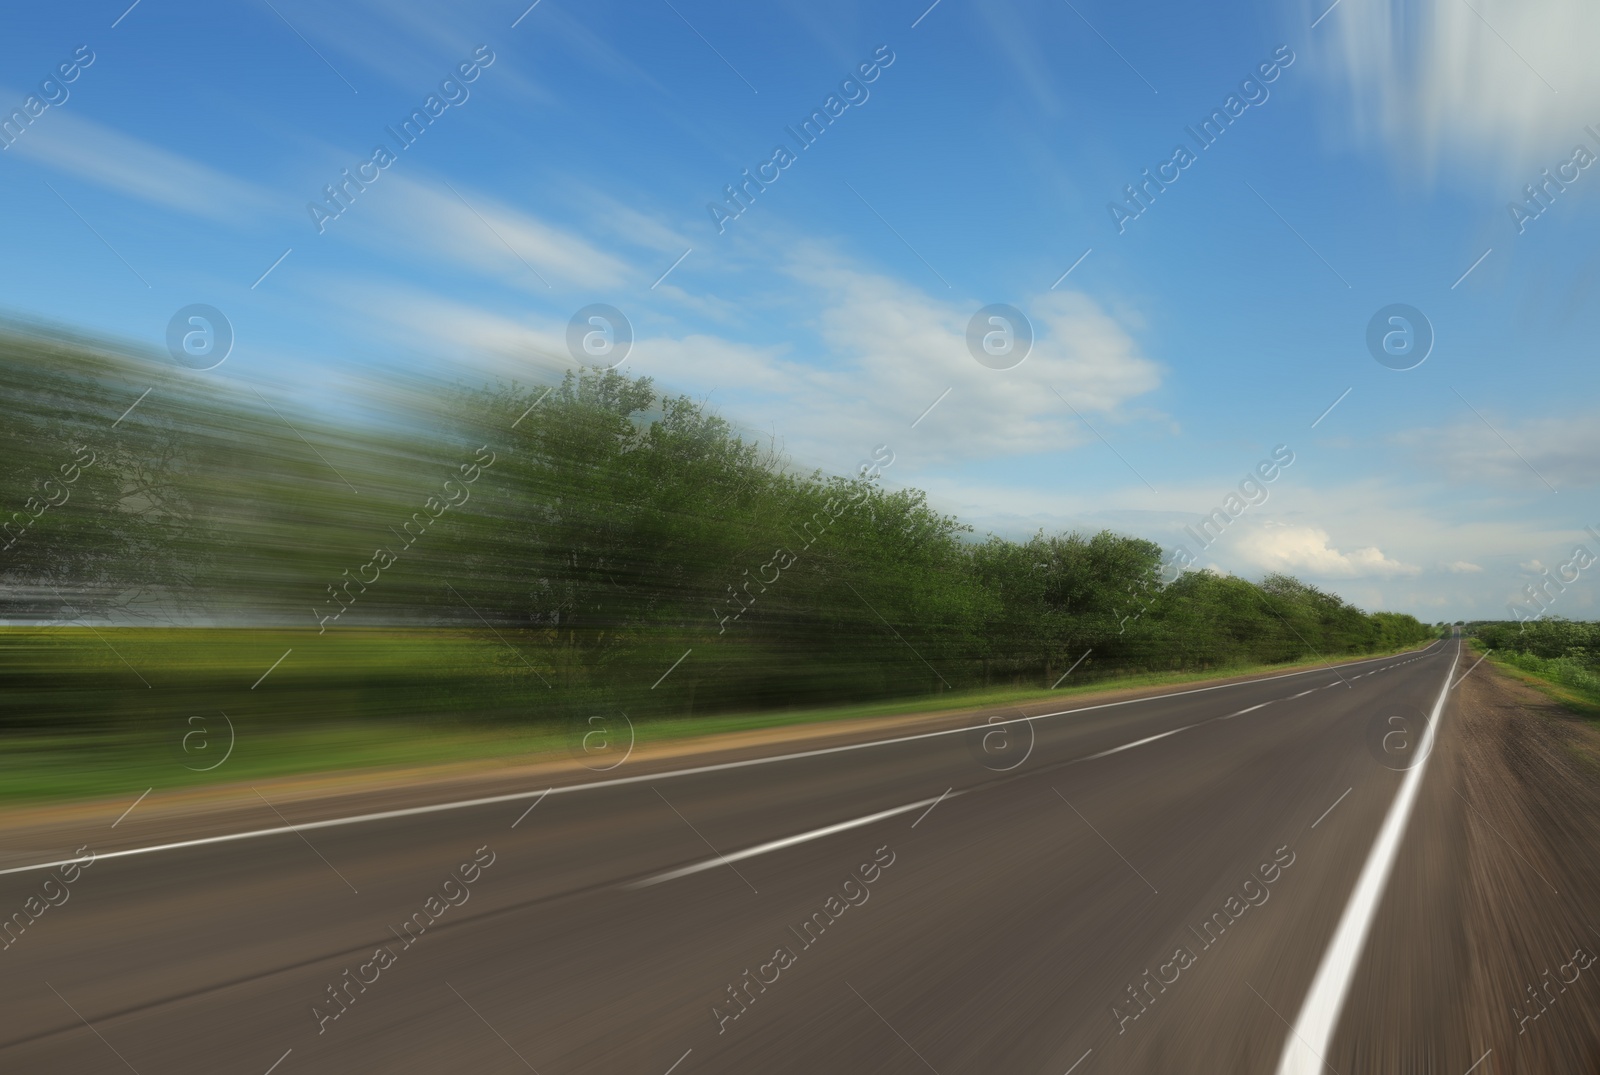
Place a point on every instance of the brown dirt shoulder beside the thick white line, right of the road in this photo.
(1526, 775)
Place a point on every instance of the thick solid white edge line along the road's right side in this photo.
(1319, 1017)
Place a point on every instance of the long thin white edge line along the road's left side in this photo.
(618, 781)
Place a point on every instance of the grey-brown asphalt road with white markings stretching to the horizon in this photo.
(1030, 903)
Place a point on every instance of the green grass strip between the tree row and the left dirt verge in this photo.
(369, 719)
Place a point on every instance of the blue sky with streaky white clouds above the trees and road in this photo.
(977, 167)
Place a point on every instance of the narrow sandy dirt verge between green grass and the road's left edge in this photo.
(54, 831)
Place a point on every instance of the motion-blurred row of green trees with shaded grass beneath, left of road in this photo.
(534, 553)
